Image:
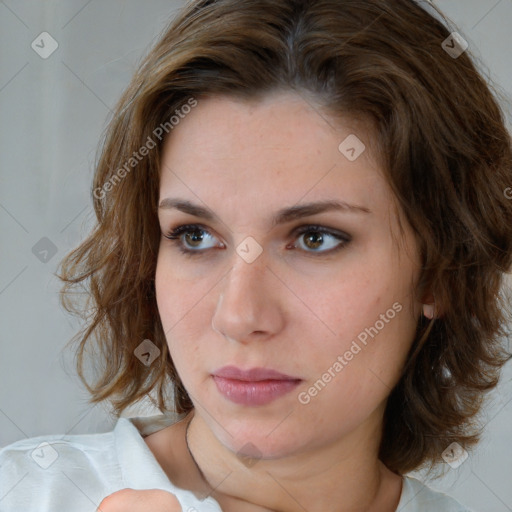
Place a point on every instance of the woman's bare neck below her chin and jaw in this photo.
(333, 478)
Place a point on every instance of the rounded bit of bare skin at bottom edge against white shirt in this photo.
(130, 500)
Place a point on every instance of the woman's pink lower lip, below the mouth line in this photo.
(254, 393)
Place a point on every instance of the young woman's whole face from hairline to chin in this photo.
(321, 295)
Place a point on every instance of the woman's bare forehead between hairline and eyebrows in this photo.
(280, 149)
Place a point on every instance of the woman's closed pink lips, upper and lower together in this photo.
(257, 386)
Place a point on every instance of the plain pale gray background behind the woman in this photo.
(52, 114)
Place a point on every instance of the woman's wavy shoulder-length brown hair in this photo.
(445, 151)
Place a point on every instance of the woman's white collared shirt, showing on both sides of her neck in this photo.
(74, 473)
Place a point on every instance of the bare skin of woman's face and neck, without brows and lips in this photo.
(294, 309)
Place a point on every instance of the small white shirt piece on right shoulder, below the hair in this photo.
(418, 497)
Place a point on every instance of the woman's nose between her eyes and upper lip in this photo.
(249, 305)
